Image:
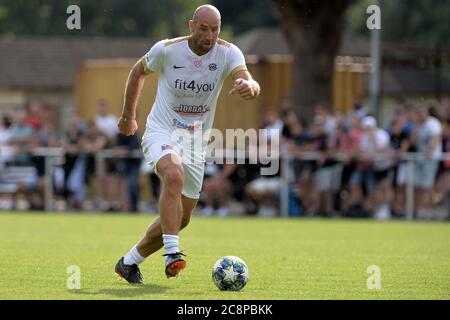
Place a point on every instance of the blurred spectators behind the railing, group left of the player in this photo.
(109, 185)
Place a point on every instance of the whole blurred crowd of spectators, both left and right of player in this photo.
(342, 165)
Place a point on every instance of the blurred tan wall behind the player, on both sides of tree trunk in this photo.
(105, 79)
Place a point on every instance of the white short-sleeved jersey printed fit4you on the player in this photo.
(189, 84)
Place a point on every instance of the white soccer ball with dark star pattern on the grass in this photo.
(230, 273)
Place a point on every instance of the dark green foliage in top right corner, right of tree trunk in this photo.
(422, 22)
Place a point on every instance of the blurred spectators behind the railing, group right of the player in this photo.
(348, 165)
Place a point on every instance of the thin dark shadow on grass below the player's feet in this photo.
(124, 291)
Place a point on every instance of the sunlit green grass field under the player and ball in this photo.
(288, 259)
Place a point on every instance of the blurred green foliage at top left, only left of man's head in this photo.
(115, 18)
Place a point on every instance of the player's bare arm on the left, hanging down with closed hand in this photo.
(127, 121)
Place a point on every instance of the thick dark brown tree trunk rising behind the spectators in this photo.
(313, 31)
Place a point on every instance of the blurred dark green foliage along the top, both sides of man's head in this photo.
(119, 18)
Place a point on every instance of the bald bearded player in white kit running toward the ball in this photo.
(191, 71)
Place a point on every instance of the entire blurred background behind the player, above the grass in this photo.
(361, 111)
